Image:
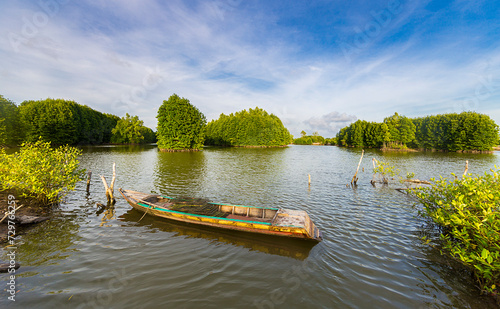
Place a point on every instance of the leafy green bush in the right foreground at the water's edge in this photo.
(467, 212)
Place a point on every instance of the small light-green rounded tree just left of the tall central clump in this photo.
(131, 130)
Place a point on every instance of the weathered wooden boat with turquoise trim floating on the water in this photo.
(264, 220)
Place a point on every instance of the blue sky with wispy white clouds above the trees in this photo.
(318, 65)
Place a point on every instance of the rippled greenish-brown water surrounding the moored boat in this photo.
(371, 256)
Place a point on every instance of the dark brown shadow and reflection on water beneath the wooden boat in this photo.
(295, 248)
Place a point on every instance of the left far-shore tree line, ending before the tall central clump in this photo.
(65, 122)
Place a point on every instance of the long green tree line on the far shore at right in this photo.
(467, 131)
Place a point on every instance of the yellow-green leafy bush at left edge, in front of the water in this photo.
(40, 172)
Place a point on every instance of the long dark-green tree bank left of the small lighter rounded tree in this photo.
(65, 122)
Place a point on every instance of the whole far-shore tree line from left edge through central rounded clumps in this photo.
(181, 126)
